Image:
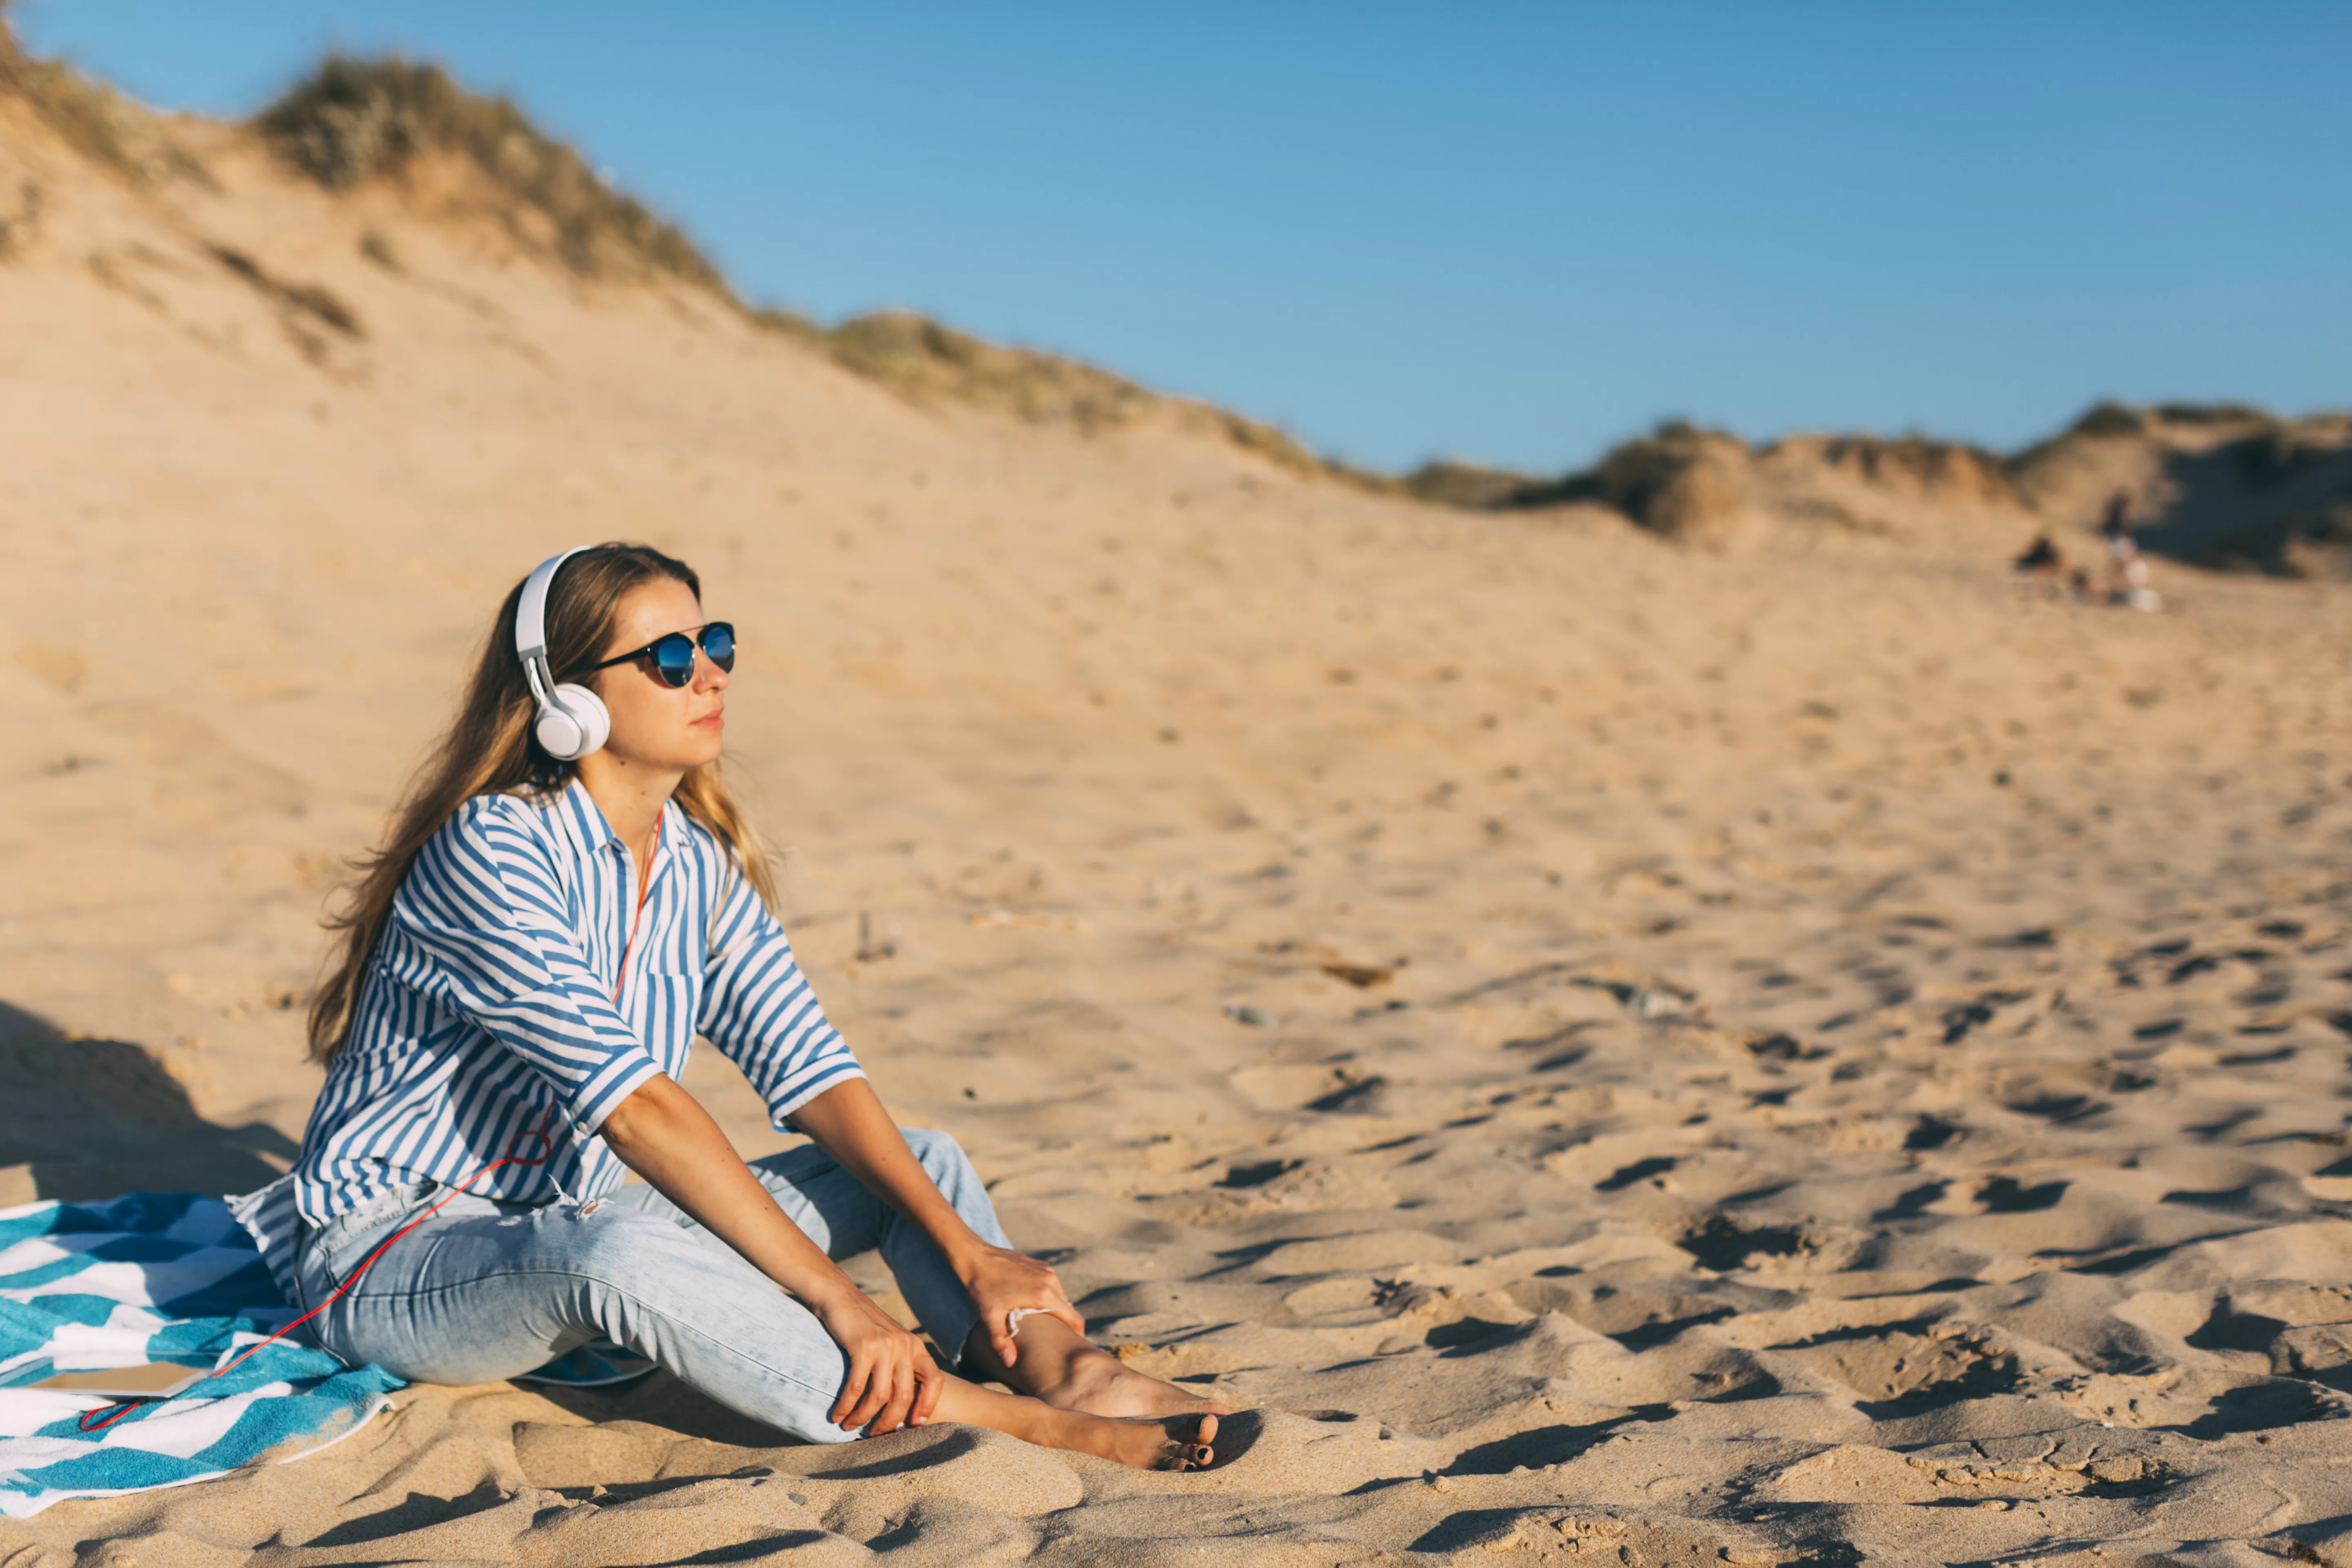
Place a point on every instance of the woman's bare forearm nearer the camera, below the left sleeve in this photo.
(671, 1141)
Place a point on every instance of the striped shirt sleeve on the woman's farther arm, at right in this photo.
(761, 1012)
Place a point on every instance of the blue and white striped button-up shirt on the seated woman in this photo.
(523, 981)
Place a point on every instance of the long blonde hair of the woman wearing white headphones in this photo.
(490, 751)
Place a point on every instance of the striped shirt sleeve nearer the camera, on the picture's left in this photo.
(488, 911)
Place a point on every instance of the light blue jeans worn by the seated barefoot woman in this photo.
(486, 1292)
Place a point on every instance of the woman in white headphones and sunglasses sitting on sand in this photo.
(523, 977)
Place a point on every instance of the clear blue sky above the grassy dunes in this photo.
(1495, 232)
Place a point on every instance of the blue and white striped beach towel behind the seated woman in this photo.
(154, 1278)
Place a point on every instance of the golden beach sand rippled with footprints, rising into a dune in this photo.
(1612, 1050)
